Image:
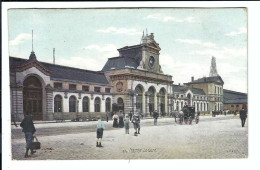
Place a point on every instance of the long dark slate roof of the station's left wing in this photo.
(65, 73)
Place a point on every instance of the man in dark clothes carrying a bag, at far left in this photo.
(29, 130)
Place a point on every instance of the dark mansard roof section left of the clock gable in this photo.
(120, 63)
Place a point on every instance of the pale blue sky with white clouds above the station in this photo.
(86, 38)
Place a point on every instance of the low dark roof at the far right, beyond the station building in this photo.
(233, 97)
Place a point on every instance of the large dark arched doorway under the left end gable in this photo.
(32, 97)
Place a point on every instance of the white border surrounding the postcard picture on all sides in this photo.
(253, 66)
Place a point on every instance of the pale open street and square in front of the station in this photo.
(214, 137)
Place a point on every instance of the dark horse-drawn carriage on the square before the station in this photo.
(186, 115)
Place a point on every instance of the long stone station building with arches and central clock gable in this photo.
(132, 82)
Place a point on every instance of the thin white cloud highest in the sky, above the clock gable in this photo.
(165, 18)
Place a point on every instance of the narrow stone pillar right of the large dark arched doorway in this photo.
(49, 103)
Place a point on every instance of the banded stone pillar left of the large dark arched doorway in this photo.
(17, 103)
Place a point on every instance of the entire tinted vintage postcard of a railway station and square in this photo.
(128, 83)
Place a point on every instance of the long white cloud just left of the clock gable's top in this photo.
(113, 30)
